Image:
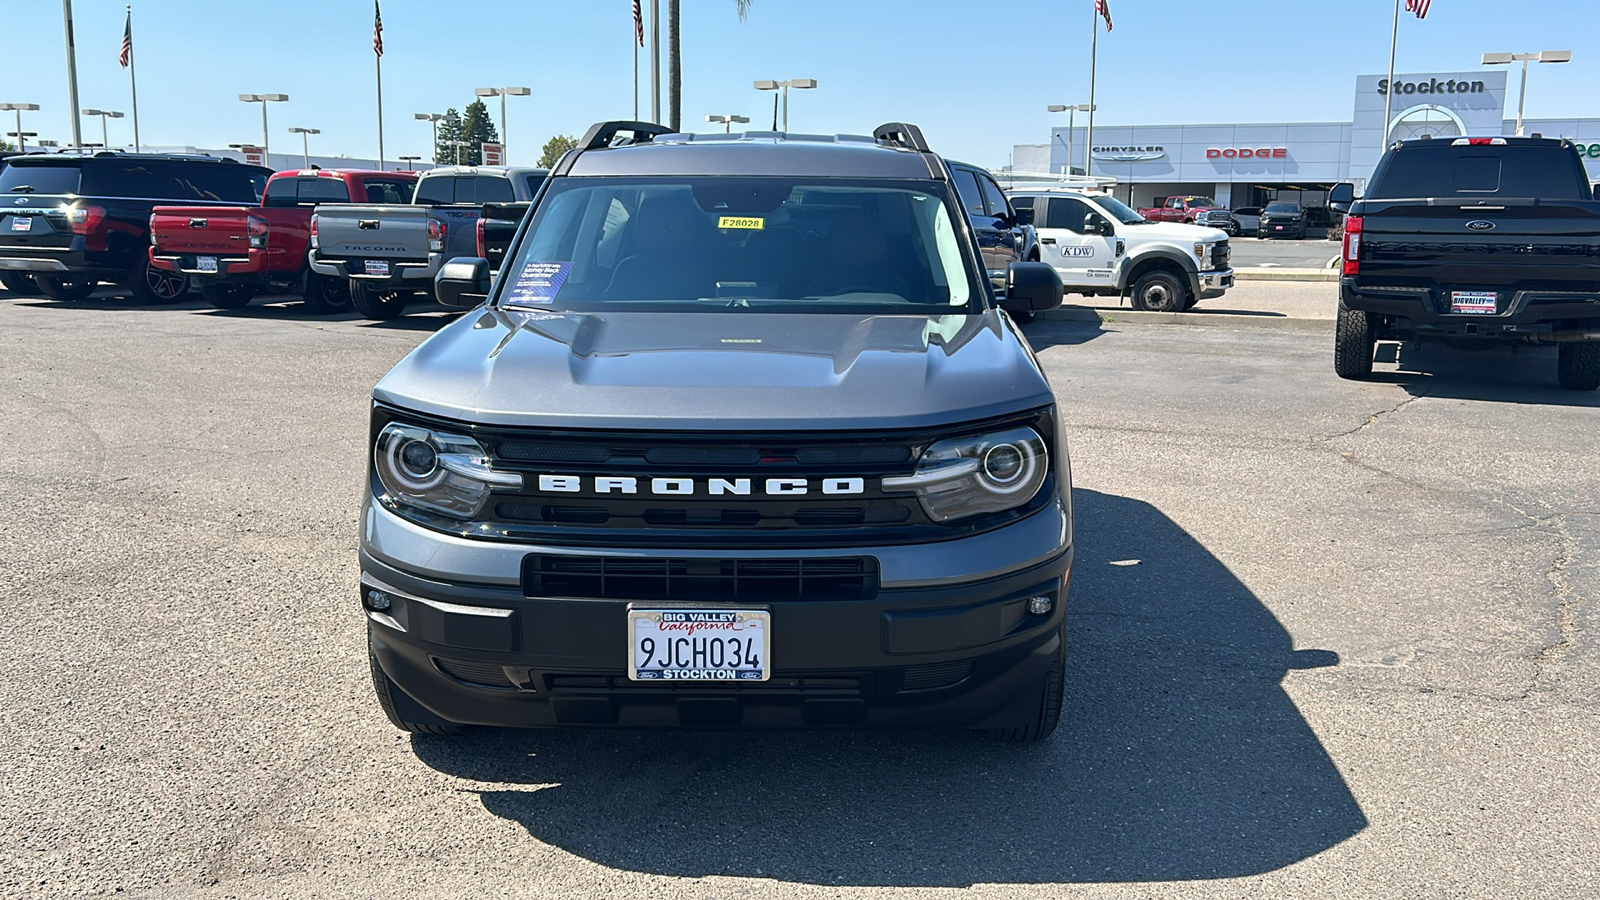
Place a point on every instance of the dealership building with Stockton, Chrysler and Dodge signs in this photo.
(1249, 166)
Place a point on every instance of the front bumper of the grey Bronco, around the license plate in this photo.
(943, 651)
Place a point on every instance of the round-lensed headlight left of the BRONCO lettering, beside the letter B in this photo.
(441, 473)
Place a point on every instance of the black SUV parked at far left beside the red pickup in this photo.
(73, 222)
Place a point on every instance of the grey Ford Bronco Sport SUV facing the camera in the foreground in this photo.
(740, 438)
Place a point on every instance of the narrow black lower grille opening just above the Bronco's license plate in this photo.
(700, 581)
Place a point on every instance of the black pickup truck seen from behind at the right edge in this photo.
(1470, 241)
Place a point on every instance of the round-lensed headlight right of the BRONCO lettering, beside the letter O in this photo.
(970, 476)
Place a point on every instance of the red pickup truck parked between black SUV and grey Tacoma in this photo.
(238, 252)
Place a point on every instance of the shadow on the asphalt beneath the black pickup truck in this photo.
(1502, 374)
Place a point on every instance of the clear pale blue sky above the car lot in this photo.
(975, 76)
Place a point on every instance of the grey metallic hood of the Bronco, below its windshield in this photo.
(718, 371)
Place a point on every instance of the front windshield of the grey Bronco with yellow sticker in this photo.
(774, 244)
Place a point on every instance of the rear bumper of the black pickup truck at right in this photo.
(1521, 315)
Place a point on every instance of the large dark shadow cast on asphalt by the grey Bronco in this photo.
(1180, 758)
